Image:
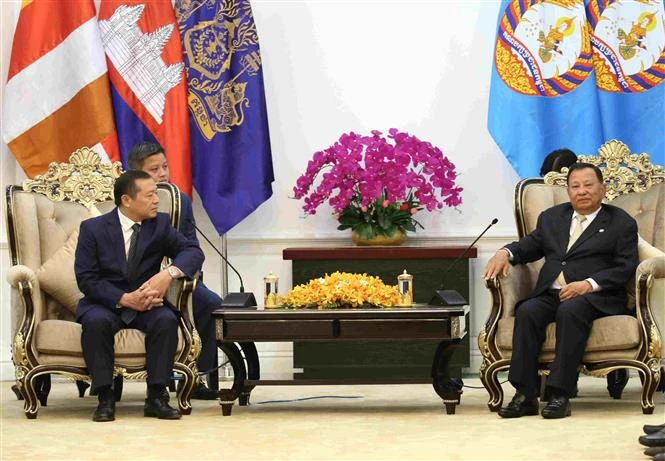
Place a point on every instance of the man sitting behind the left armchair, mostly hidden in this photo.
(149, 157)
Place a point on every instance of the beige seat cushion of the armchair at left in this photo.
(60, 337)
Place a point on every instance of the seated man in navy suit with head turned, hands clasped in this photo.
(118, 270)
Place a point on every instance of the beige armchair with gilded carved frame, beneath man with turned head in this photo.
(43, 218)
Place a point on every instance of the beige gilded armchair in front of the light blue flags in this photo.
(622, 341)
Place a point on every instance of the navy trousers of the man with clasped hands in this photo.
(100, 325)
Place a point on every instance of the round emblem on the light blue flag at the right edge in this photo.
(628, 42)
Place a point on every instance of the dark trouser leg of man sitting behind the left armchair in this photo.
(204, 302)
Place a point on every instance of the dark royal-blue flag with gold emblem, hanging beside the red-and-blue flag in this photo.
(231, 158)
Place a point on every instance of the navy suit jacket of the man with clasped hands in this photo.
(101, 265)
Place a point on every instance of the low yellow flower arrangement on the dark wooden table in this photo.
(341, 290)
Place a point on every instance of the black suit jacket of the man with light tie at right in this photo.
(606, 252)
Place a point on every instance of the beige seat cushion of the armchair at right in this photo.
(614, 332)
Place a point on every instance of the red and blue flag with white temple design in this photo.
(148, 83)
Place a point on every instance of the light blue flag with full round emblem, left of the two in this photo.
(543, 93)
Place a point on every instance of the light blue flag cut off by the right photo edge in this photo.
(628, 39)
